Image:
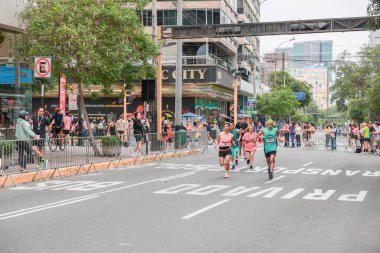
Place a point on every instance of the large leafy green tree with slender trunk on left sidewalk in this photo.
(94, 42)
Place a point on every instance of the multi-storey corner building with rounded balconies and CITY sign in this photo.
(209, 63)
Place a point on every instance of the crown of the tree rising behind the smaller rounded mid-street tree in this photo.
(283, 79)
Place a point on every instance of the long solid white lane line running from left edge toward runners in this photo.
(82, 198)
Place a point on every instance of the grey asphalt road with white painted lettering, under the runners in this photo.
(319, 201)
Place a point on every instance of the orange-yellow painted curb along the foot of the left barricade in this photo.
(22, 178)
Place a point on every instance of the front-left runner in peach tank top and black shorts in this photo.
(225, 141)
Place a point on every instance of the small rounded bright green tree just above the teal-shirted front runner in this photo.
(279, 103)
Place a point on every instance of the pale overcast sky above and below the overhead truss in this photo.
(280, 10)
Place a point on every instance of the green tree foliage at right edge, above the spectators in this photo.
(358, 80)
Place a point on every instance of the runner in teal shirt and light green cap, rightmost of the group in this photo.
(271, 136)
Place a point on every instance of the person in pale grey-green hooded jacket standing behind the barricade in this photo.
(23, 135)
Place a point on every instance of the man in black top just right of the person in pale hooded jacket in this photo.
(40, 126)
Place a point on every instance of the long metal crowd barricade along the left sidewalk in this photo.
(86, 152)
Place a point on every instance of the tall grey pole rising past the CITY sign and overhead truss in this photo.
(178, 82)
